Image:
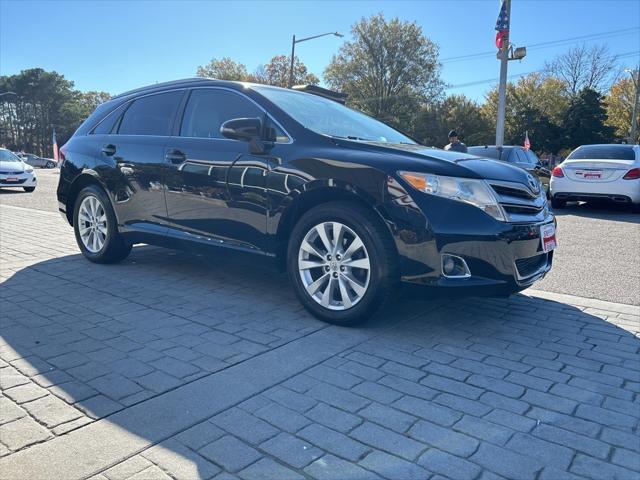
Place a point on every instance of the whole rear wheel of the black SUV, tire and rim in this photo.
(103, 243)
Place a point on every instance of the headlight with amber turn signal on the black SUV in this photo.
(468, 190)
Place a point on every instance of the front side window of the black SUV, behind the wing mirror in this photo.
(208, 109)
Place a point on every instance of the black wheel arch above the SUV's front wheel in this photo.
(304, 201)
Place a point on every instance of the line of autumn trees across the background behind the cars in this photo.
(391, 71)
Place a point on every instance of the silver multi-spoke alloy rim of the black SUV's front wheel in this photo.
(334, 266)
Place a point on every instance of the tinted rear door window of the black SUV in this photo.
(152, 115)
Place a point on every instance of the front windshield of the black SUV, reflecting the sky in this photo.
(331, 118)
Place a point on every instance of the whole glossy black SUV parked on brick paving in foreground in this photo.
(348, 205)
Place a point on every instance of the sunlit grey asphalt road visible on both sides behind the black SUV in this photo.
(597, 256)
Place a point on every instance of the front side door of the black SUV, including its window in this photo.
(216, 190)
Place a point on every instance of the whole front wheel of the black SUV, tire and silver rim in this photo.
(351, 294)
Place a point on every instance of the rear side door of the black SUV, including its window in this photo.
(137, 149)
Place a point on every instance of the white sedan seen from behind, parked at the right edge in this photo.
(593, 172)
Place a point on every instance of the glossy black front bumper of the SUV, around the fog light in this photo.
(502, 258)
